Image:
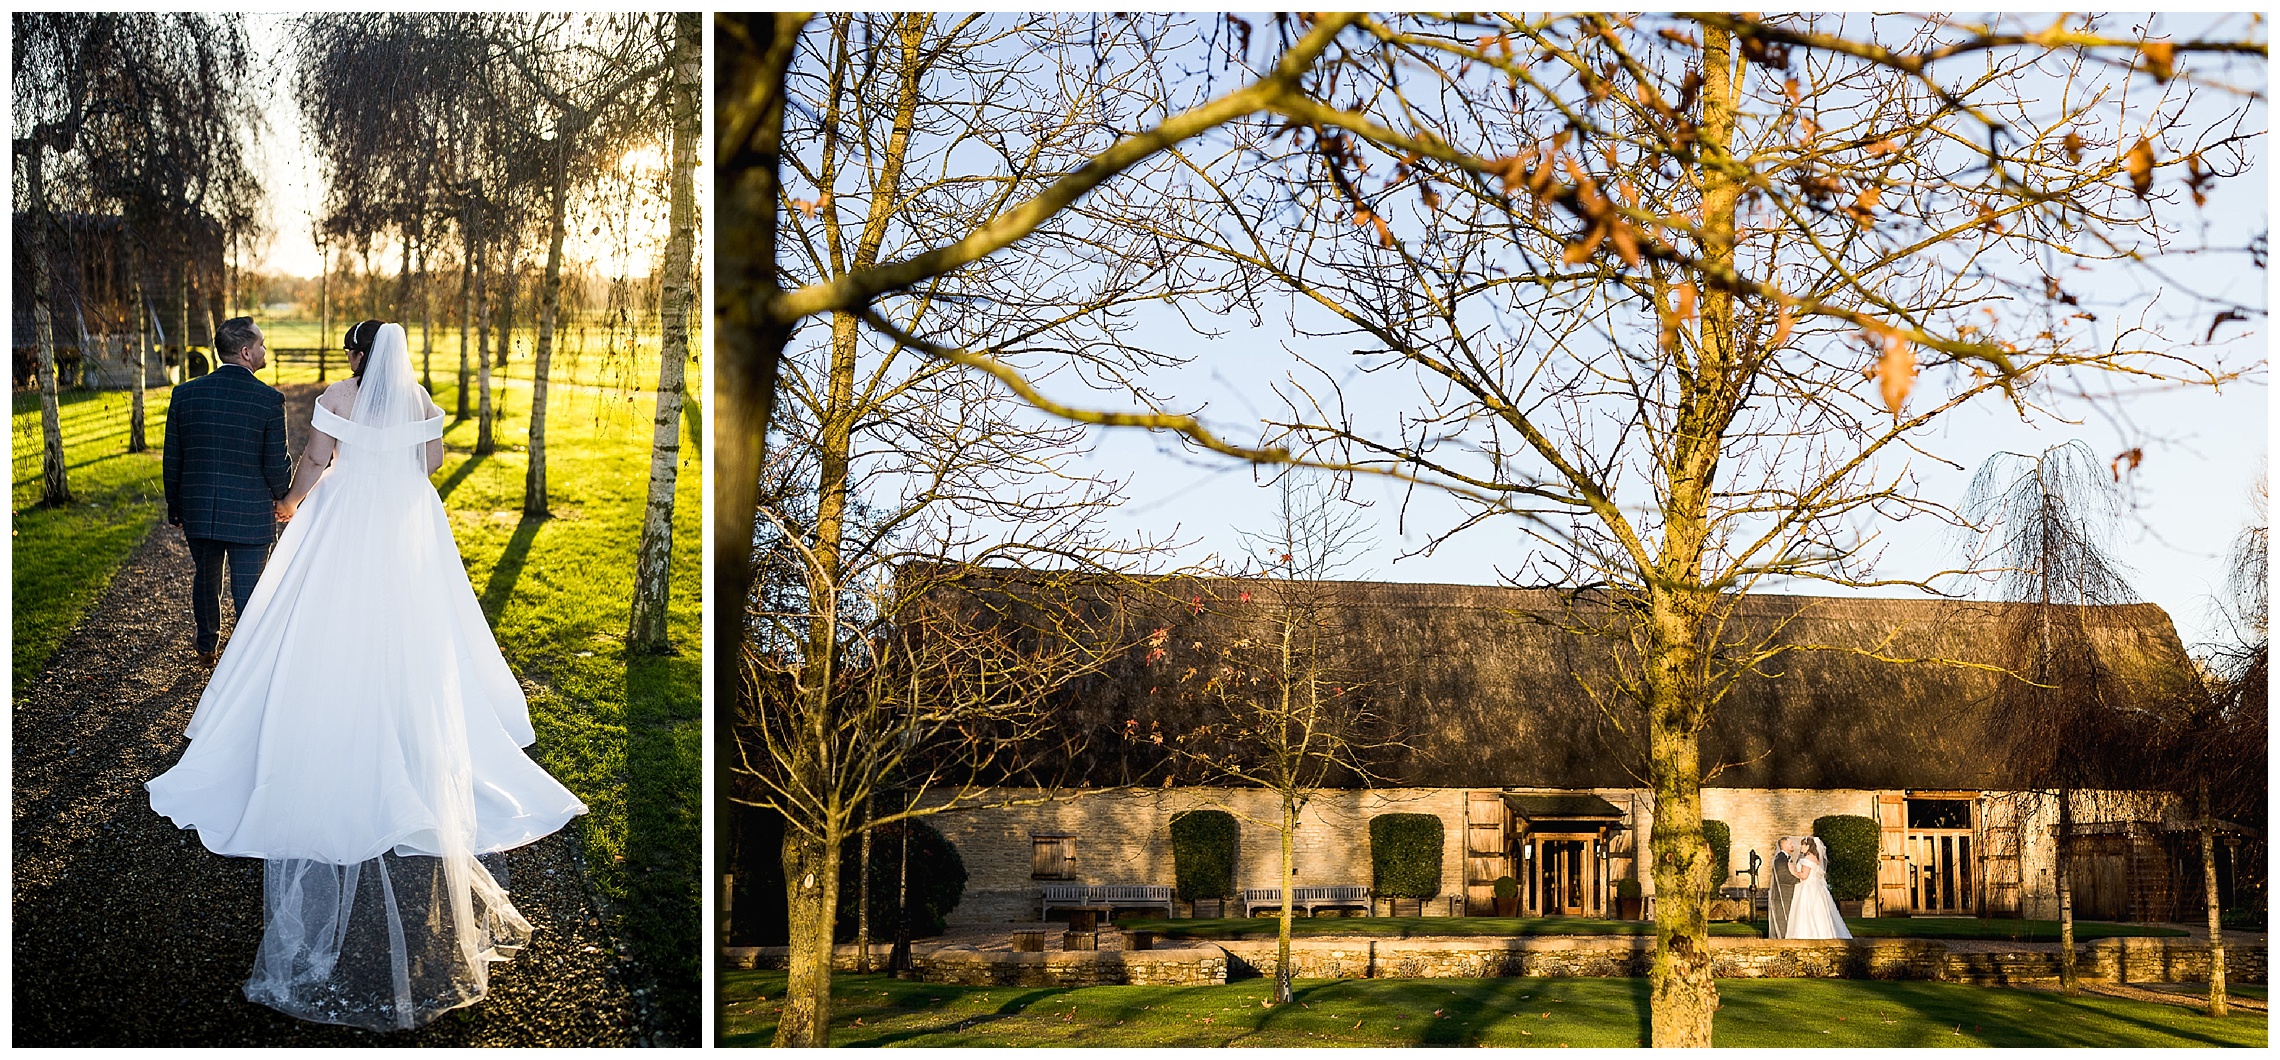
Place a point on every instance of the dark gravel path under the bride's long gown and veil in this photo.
(131, 933)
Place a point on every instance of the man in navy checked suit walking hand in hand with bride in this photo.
(227, 468)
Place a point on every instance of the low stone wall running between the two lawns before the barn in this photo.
(2106, 961)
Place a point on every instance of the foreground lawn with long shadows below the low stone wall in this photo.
(1472, 1013)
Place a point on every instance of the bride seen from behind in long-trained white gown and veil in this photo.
(364, 735)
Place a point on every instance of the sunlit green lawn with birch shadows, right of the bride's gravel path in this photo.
(626, 735)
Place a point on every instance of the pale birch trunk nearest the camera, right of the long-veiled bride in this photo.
(653, 564)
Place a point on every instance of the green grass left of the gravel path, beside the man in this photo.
(67, 555)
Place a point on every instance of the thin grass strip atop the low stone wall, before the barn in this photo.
(1508, 927)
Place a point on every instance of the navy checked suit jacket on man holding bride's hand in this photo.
(227, 457)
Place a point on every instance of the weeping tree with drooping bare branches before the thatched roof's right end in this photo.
(2049, 528)
